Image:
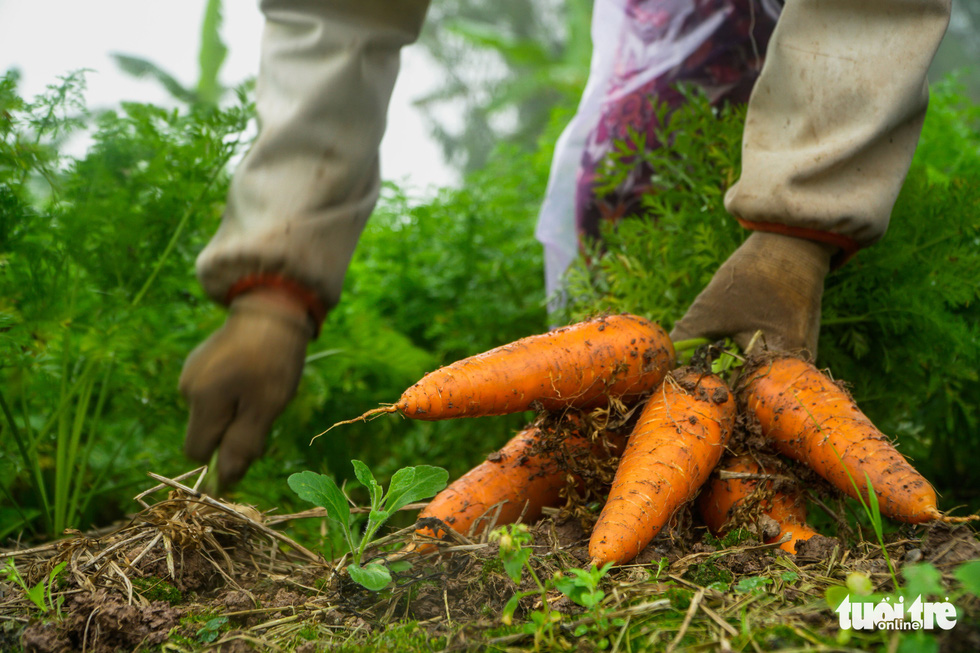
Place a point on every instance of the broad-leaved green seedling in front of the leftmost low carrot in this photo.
(408, 485)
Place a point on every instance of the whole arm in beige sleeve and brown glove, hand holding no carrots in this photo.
(297, 205)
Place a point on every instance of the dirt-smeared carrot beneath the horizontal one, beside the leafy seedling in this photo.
(525, 476)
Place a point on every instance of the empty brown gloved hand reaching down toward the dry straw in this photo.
(241, 378)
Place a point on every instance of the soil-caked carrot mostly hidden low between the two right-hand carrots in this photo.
(722, 496)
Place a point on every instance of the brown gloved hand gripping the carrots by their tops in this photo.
(773, 283)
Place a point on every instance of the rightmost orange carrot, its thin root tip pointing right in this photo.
(811, 419)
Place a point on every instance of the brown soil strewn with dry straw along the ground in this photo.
(219, 579)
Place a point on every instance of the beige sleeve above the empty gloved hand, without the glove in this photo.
(300, 198)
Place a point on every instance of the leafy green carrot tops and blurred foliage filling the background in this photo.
(99, 305)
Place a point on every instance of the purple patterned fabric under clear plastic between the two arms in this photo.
(717, 45)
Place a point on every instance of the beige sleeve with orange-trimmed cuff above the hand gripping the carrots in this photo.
(835, 117)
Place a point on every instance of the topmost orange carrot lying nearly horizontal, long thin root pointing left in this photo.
(578, 366)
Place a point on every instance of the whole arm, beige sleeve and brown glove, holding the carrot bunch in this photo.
(831, 128)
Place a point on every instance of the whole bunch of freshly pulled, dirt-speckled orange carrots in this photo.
(677, 441)
